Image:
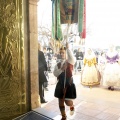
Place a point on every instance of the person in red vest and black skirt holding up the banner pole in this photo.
(65, 89)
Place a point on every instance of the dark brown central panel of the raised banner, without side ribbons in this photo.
(69, 11)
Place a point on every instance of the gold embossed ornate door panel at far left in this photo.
(12, 67)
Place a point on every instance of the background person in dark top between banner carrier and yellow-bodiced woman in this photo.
(79, 60)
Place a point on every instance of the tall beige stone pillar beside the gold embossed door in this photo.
(33, 32)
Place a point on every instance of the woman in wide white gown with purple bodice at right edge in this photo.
(111, 77)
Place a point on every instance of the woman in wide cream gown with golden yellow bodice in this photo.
(89, 75)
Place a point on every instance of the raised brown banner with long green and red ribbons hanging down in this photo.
(68, 12)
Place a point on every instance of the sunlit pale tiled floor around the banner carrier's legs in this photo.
(95, 103)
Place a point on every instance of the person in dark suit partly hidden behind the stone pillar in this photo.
(42, 67)
